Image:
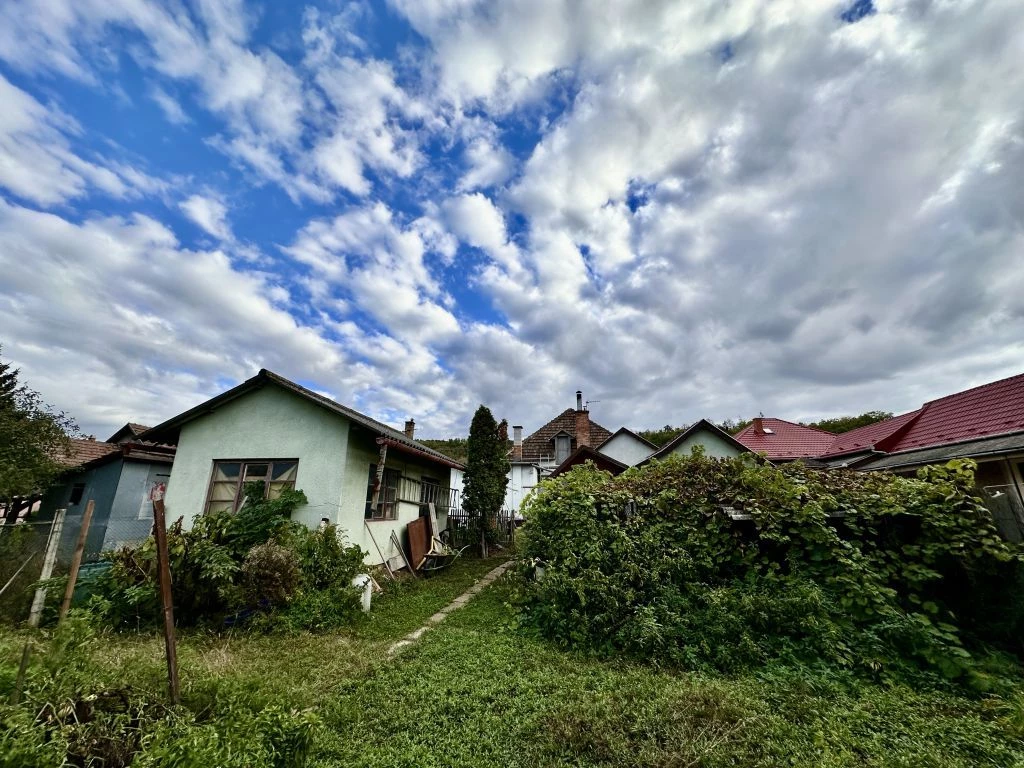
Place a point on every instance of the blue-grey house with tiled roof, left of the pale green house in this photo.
(118, 477)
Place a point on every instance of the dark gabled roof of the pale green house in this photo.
(168, 432)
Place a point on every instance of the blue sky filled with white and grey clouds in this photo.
(798, 208)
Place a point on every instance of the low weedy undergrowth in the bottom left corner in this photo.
(74, 713)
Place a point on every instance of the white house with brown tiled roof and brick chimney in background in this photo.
(540, 454)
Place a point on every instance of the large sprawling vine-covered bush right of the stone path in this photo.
(729, 564)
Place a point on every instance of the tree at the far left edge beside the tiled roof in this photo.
(34, 438)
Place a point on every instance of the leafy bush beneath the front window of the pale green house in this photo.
(237, 567)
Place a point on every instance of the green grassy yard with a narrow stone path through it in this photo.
(475, 692)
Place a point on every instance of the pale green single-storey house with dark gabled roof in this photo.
(274, 431)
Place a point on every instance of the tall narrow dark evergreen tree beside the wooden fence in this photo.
(487, 471)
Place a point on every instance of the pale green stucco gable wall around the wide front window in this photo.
(270, 423)
